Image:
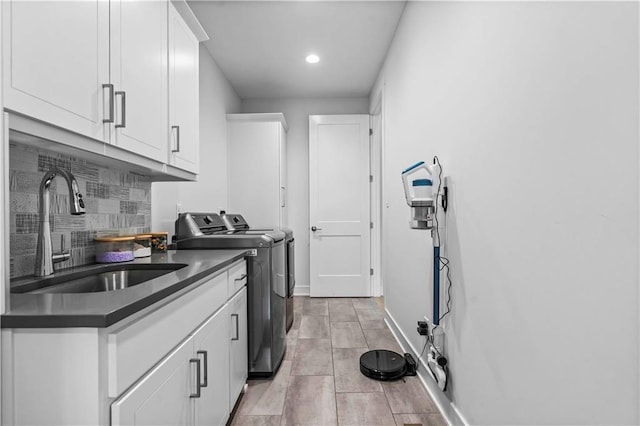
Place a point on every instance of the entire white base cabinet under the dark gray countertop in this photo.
(183, 363)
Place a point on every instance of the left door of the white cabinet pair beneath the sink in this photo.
(163, 396)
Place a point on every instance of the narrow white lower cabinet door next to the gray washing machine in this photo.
(238, 351)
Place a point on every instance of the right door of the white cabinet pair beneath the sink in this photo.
(212, 347)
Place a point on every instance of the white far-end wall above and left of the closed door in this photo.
(296, 112)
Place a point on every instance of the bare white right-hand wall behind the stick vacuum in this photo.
(533, 111)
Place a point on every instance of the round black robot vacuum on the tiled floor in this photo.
(381, 364)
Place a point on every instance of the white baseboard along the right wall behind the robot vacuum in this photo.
(448, 410)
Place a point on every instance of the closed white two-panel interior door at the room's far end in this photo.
(339, 205)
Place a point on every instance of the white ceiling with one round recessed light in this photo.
(261, 45)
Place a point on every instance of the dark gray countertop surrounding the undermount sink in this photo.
(107, 308)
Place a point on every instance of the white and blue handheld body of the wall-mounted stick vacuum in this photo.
(419, 195)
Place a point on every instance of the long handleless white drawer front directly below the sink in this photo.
(135, 348)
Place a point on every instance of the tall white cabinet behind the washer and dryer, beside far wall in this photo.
(257, 168)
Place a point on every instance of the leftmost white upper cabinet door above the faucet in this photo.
(55, 61)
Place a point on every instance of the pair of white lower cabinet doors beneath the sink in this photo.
(190, 386)
